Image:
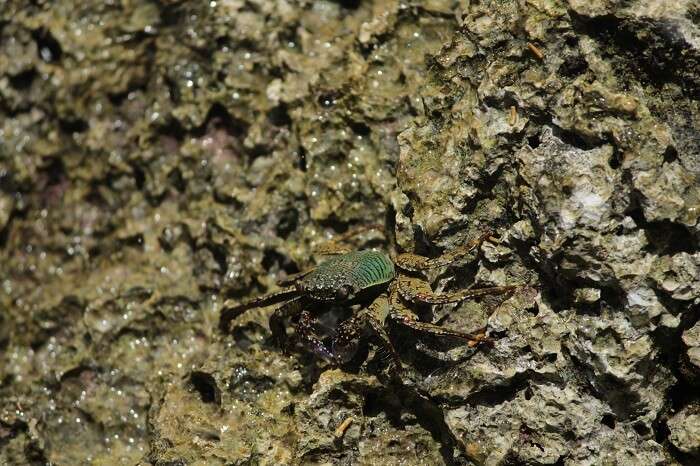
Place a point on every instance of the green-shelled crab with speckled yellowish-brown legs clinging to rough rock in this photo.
(387, 282)
